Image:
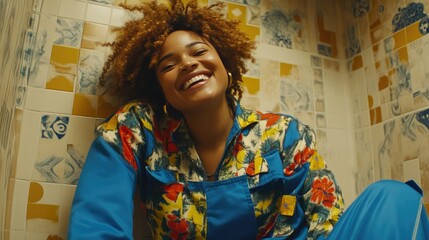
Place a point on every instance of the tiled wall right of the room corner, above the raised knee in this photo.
(389, 84)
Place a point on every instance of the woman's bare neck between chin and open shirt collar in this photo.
(211, 125)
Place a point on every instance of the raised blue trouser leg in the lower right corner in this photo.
(387, 209)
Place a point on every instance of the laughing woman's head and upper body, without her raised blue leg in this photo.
(205, 167)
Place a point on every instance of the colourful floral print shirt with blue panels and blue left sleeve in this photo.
(271, 182)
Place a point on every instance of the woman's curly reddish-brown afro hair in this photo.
(129, 71)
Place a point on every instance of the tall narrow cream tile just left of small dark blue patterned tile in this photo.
(28, 144)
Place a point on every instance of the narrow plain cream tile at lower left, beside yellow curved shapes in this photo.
(19, 205)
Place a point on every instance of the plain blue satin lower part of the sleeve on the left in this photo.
(103, 202)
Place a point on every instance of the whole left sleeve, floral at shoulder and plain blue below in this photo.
(103, 203)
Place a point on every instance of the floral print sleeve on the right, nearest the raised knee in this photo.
(322, 197)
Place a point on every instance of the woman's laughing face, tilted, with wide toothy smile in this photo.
(190, 72)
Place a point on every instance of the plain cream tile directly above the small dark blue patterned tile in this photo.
(58, 102)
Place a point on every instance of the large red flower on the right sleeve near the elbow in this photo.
(323, 192)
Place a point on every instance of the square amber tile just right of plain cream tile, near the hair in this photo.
(85, 105)
